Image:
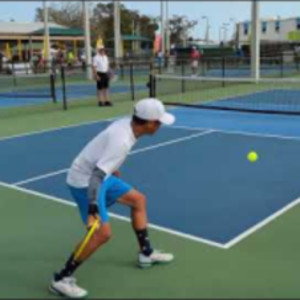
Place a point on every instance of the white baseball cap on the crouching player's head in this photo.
(152, 109)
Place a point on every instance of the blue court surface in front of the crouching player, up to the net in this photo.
(195, 174)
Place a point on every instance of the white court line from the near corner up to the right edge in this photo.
(261, 224)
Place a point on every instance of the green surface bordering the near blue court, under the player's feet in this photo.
(37, 235)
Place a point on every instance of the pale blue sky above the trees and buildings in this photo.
(218, 12)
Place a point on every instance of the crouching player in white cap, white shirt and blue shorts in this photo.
(94, 183)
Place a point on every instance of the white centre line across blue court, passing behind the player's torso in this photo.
(152, 147)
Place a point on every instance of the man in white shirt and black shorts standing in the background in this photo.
(102, 76)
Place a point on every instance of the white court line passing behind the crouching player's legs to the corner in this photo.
(116, 216)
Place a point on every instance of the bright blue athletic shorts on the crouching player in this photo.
(111, 190)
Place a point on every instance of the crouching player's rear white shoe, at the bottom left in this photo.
(67, 287)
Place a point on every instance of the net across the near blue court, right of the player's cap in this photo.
(266, 95)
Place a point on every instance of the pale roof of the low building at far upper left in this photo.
(15, 28)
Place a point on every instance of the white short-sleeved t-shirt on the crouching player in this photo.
(108, 150)
